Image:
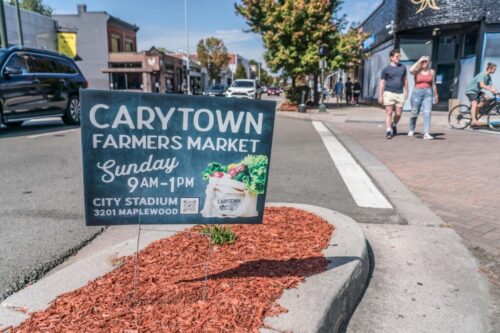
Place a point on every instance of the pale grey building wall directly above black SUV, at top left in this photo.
(39, 31)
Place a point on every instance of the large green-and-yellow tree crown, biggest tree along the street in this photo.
(292, 31)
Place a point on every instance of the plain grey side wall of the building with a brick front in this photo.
(92, 44)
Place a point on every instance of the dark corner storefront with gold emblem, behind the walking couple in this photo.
(460, 36)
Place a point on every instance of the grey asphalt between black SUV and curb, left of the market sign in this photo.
(41, 213)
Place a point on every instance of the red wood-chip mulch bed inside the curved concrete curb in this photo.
(245, 280)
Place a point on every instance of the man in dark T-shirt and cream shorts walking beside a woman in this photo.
(393, 91)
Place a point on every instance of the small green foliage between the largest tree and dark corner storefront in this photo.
(349, 49)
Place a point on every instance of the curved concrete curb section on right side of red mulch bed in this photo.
(326, 301)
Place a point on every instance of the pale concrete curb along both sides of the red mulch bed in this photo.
(323, 303)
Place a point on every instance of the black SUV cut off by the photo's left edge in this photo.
(38, 83)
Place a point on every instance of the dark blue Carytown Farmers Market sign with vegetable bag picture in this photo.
(174, 159)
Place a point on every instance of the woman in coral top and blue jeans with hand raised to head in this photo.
(424, 95)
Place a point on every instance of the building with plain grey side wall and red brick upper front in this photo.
(98, 34)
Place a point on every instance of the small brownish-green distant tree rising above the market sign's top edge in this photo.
(213, 55)
